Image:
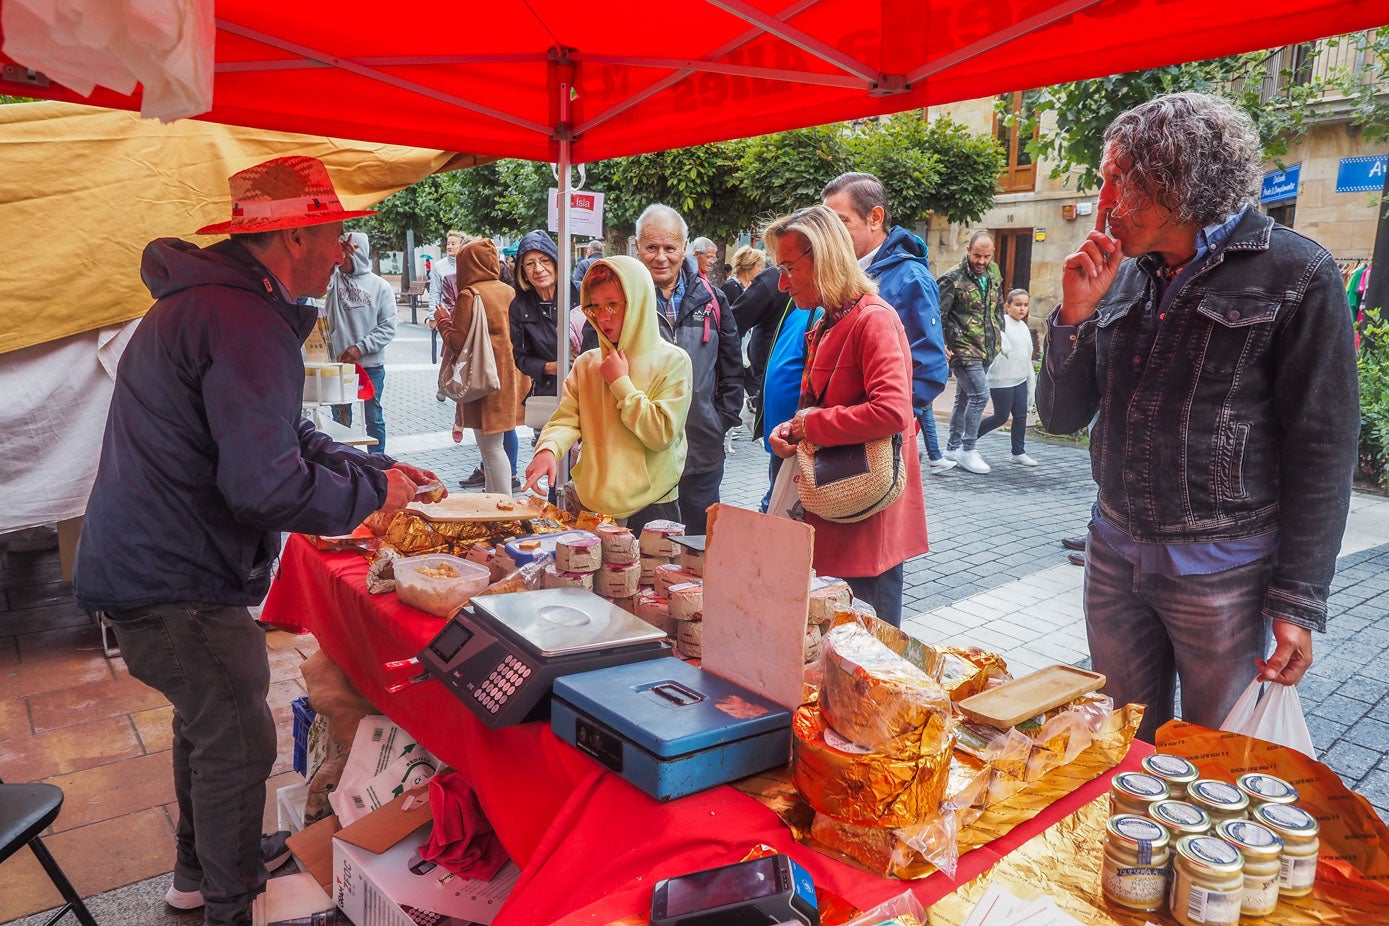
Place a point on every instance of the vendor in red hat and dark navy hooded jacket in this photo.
(206, 460)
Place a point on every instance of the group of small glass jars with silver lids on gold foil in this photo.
(1213, 852)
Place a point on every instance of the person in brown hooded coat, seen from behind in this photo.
(492, 417)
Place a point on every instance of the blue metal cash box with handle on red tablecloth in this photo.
(669, 727)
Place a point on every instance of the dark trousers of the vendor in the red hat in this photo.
(210, 663)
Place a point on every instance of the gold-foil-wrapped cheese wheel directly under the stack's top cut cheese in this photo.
(858, 786)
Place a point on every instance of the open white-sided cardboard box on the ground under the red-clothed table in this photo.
(366, 868)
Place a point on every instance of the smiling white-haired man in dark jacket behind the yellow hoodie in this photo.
(697, 317)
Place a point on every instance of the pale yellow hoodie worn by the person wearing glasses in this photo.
(634, 430)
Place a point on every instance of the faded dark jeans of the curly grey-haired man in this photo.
(1148, 631)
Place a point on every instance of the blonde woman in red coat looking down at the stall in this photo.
(856, 388)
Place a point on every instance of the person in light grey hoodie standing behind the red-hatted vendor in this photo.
(362, 321)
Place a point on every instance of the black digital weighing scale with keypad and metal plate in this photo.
(502, 655)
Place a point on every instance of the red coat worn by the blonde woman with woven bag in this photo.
(867, 364)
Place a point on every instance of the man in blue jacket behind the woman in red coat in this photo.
(897, 260)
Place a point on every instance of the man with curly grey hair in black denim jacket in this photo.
(1220, 359)
